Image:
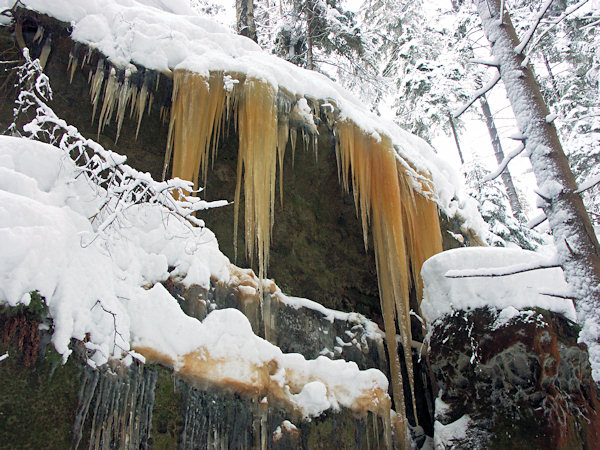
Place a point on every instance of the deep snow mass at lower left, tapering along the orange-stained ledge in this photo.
(107, 290)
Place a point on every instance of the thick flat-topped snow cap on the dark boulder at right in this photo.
(443, 295)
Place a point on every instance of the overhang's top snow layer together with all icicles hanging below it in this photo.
(397, 182)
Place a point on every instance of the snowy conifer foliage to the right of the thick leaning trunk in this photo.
(566, 58)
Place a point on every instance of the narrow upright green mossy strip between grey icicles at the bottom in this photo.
(166, 414)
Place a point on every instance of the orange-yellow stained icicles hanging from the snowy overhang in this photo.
(405, 225)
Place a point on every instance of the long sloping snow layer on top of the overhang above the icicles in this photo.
(165, 36)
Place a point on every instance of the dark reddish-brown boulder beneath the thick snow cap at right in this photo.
(517, 380)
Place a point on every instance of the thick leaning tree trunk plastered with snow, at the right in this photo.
(577, 246)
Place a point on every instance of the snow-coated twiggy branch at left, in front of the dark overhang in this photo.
(121, 185)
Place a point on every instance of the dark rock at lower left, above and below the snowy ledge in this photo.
(147, 406)
